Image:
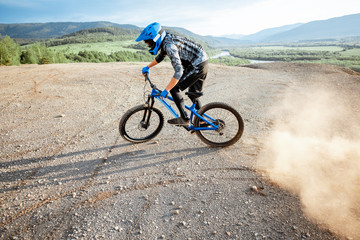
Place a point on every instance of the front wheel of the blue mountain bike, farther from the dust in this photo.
(141, 123)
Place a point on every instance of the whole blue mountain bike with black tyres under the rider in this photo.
(216, 124)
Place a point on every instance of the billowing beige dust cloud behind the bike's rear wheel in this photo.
(314, 152)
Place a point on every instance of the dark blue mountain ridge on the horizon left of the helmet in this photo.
(53, 30)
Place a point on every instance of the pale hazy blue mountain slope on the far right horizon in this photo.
(334, 28)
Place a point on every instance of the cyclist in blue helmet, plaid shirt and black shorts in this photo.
(188, 59)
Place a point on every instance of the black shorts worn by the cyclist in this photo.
(194, 76)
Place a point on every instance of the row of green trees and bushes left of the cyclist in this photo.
(12, 54)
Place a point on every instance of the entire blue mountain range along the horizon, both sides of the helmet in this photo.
(334, 28)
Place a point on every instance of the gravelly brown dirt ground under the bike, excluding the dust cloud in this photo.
(66, 173)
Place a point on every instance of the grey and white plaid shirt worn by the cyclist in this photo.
(182, 52)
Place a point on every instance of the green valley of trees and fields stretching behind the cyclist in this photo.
(118, 45)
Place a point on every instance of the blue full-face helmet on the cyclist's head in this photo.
(153, 35)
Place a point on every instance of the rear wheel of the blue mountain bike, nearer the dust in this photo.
(227, 119)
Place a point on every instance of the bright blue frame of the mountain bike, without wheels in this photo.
(206, 118)
